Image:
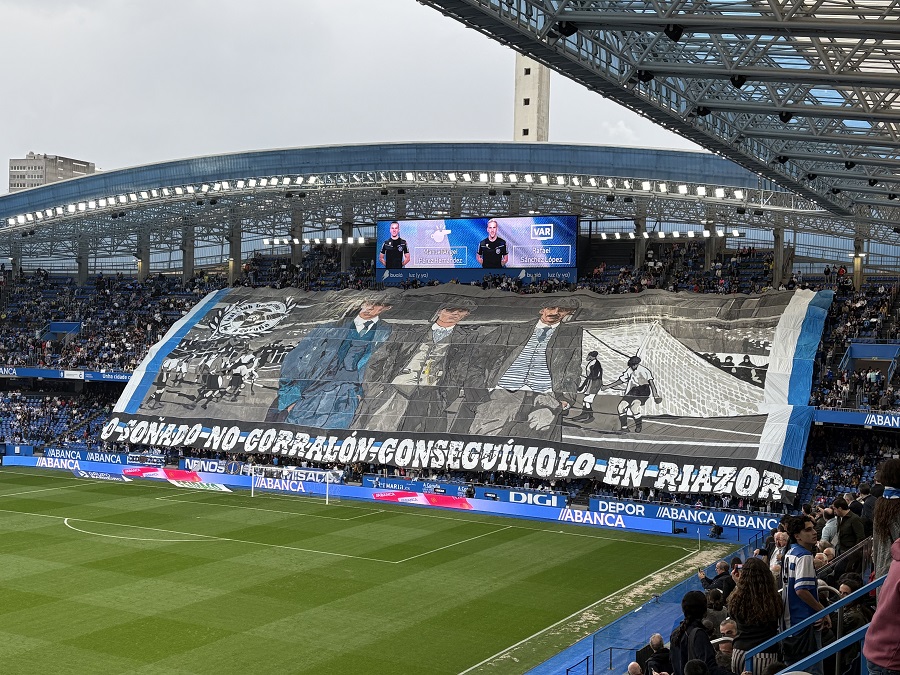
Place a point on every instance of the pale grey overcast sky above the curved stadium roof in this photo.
(123, 83)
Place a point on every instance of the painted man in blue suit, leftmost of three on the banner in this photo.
(321, 378)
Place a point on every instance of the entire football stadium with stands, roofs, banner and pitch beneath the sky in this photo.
(484, 407)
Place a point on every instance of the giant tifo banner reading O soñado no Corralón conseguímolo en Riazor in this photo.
(678, 393)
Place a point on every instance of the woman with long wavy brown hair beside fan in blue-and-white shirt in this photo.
(756, 608)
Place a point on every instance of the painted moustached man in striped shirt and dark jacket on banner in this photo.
(520, 378)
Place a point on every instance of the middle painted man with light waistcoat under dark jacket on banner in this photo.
(406, 381)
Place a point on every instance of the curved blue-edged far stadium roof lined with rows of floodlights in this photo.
(279, 193)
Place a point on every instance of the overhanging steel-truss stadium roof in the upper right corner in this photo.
(802, 93)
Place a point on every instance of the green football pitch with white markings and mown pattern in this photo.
(144, 577)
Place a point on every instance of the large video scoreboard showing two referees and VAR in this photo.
(489, 243)
